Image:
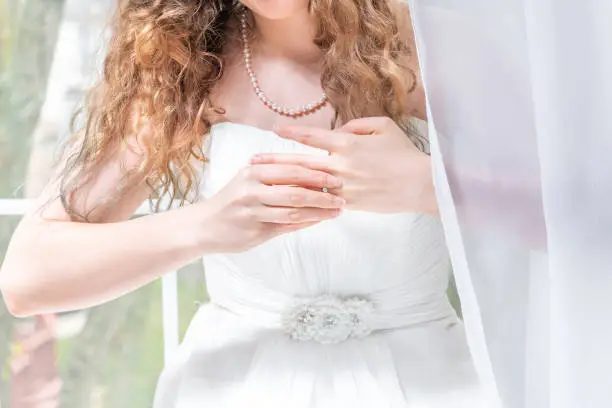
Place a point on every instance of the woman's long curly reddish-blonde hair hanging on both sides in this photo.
(165, 56)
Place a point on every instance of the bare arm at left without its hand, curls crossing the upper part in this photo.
(54, 264)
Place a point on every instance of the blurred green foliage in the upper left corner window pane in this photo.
(28, 32)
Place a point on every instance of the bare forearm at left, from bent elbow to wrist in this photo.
(57, 266)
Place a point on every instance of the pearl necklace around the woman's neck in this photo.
(292, 113)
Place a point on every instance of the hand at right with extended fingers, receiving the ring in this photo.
(380, 168)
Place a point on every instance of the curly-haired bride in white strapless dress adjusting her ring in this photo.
(285, 128)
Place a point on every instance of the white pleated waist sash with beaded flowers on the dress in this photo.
(332, 318)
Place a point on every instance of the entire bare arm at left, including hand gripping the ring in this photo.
(54, 264)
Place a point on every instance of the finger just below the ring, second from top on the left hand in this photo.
(289, 196)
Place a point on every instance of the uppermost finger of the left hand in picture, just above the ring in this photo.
(274, 174)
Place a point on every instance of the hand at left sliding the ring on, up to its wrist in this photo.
(267, 200)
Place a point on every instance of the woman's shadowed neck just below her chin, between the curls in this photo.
(291, 38)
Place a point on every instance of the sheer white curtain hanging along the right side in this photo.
(520, 110)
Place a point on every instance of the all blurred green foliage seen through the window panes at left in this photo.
(115, 359)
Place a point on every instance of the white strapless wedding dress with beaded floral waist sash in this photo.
(349, 313)
